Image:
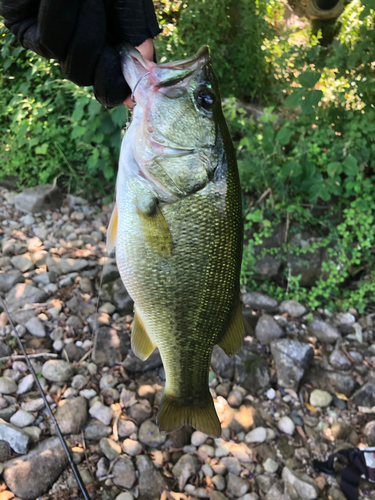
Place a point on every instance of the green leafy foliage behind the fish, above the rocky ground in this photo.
(302, 119)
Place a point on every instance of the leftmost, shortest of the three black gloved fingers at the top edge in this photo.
(57, 22)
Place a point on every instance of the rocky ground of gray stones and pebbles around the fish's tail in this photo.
(301, 387)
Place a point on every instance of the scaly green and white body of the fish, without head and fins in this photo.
(186, 300)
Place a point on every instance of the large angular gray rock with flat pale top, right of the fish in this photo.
(291, 359)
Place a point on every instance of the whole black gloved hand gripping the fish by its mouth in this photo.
(82, 35)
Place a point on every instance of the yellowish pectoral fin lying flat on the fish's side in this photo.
(154, 226)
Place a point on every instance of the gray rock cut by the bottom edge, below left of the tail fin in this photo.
(150, 482)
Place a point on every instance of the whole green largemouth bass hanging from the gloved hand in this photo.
(177, 230)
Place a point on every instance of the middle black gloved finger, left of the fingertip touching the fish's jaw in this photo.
(87, 44)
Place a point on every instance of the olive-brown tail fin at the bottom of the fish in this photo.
(172, 416)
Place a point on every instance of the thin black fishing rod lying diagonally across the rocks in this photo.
(73, 466)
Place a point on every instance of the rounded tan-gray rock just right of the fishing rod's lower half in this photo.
(71, 415)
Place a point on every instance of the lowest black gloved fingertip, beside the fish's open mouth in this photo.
(110, 87)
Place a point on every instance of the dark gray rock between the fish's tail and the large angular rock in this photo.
(251, 371)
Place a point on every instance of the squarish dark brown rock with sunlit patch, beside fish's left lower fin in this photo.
(111, 346)
